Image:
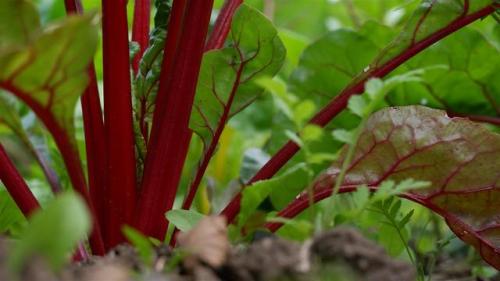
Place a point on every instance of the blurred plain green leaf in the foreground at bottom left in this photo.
(53, 233)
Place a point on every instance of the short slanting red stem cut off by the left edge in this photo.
(16, 186)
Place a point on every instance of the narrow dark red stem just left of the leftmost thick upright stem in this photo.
(94, 133)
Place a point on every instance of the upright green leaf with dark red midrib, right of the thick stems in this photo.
(227, 79)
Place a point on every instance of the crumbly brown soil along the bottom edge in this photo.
(342, 254)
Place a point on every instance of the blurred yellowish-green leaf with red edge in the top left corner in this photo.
(45, 68)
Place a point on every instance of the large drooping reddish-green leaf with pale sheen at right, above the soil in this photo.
(460, 158)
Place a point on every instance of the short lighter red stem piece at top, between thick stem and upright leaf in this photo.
(222, 25)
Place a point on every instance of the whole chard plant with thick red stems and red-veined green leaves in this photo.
(396, 99)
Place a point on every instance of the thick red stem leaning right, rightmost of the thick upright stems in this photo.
(169, 145)
